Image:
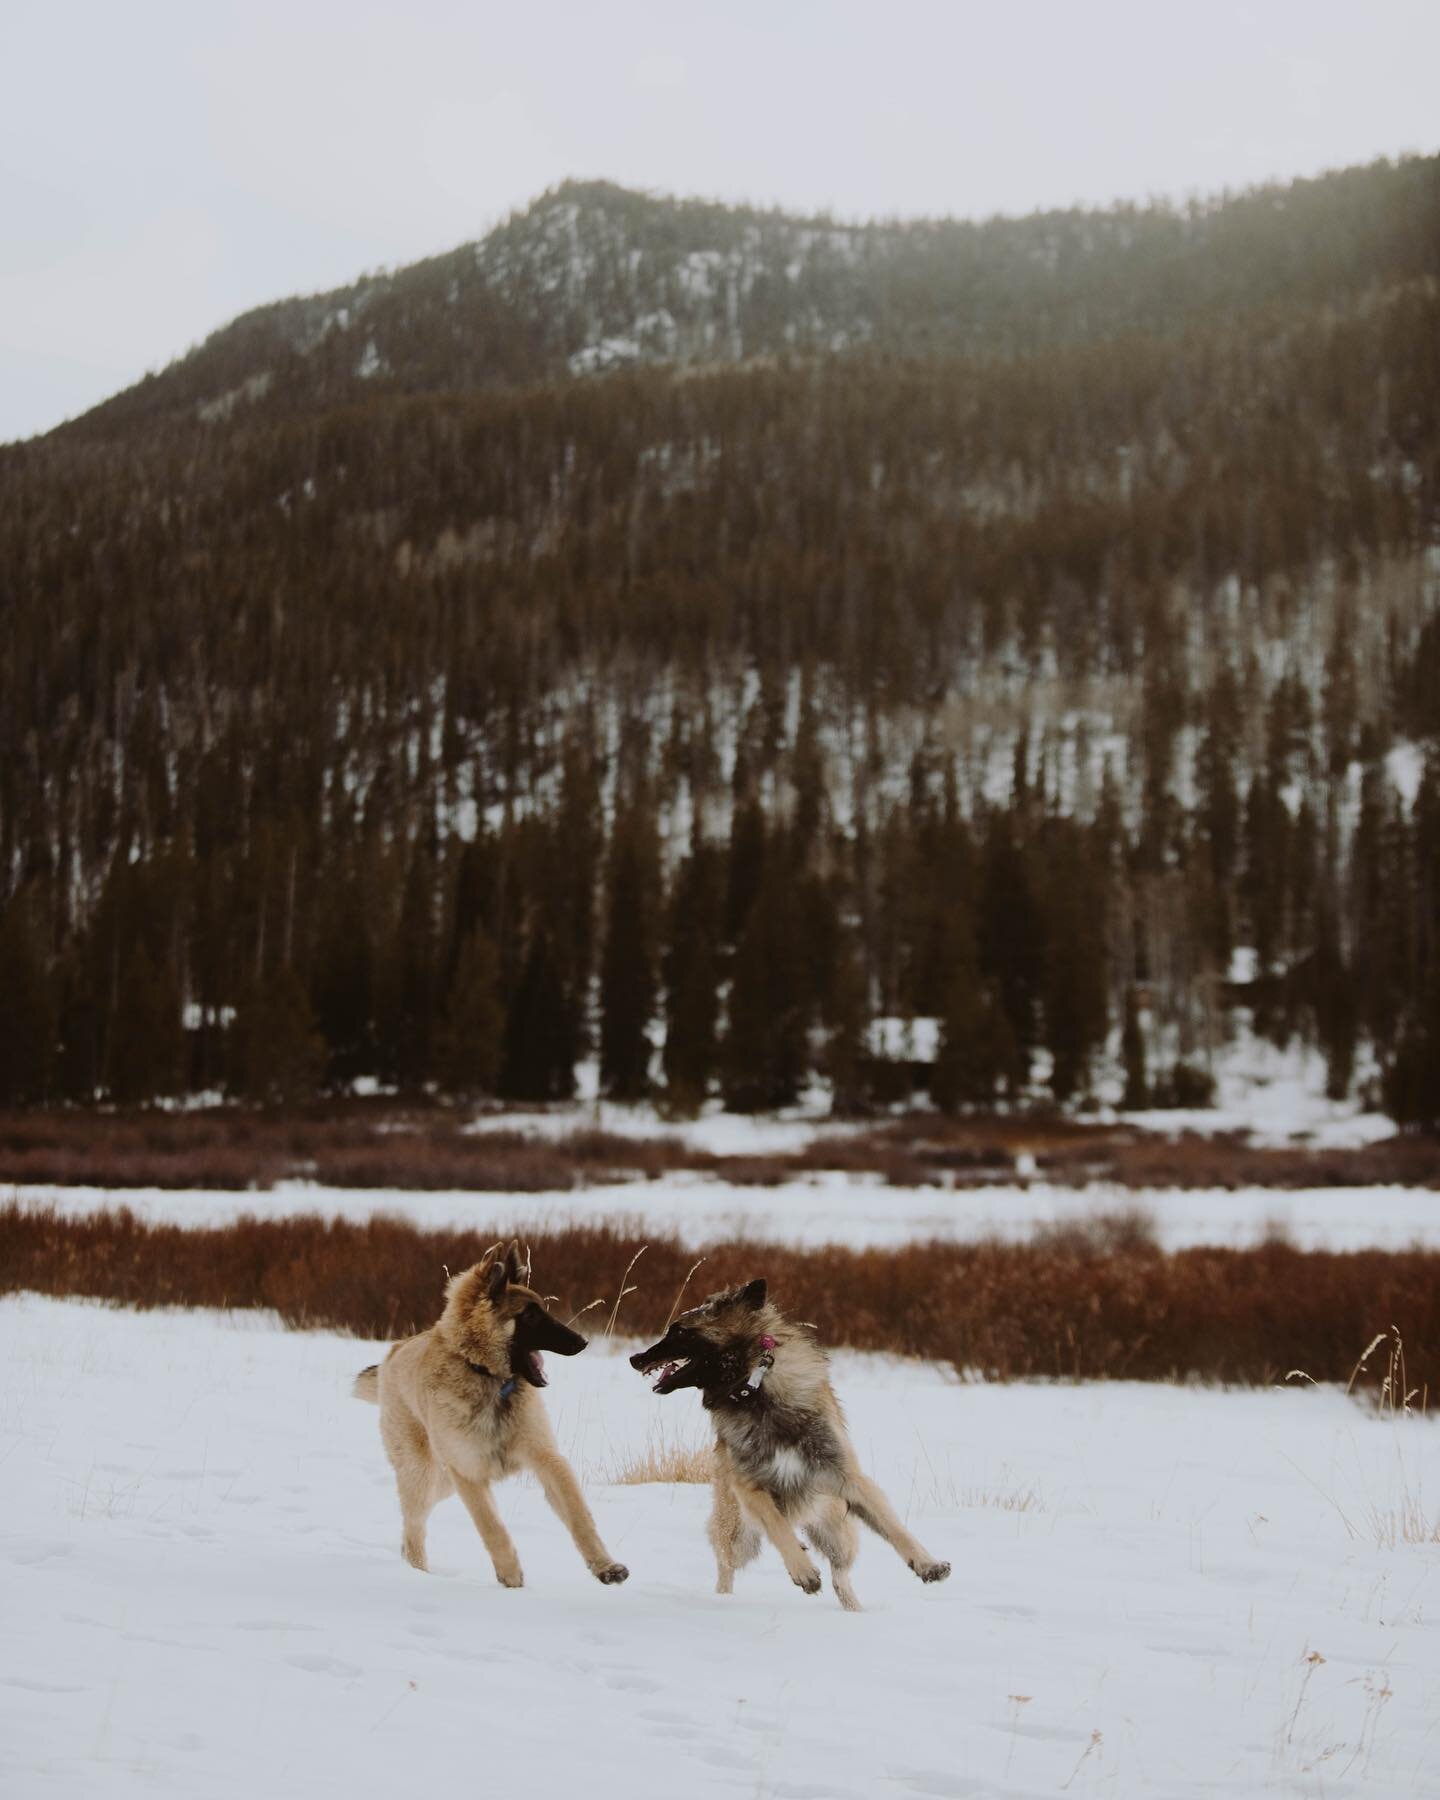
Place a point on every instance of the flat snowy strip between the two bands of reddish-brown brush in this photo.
(825, 1209)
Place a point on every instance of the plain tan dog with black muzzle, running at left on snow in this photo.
(458, 1412)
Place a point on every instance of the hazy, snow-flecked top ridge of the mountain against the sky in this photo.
(593, 276)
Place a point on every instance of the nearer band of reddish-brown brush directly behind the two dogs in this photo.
(1102, 1304)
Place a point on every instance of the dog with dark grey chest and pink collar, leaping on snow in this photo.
(782, 1455)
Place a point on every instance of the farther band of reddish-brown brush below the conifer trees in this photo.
(390, 1144)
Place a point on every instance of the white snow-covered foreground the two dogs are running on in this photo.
(1156, 1592)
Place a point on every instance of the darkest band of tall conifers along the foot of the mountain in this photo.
(751, 962)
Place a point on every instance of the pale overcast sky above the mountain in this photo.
(166, 165)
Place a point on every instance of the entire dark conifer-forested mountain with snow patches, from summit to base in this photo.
(678, 613)
